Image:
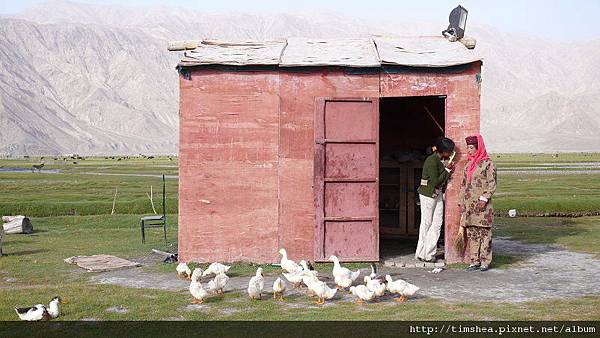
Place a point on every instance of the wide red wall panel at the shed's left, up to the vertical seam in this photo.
(228, 166)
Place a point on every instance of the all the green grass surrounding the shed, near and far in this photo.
(71, 210)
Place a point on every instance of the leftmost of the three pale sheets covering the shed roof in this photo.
(242, 53)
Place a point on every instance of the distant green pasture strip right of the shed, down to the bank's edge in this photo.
(547, 185)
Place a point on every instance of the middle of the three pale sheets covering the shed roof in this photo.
(359, 52)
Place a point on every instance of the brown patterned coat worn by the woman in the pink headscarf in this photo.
(482, 186)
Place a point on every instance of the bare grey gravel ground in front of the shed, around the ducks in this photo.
(543, 272)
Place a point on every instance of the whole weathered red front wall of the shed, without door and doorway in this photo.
(247, 152)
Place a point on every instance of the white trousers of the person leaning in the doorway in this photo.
(432, 217)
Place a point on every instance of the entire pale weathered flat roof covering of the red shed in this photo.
(429, 51)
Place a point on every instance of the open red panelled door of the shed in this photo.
(346, 179)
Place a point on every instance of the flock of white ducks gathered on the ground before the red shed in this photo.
(298, 274)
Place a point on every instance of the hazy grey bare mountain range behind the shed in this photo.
(97, 79)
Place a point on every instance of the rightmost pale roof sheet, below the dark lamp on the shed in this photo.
(423, 51)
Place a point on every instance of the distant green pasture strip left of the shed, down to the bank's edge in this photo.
(87, 188)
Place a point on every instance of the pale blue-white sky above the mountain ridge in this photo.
(552, 19)
